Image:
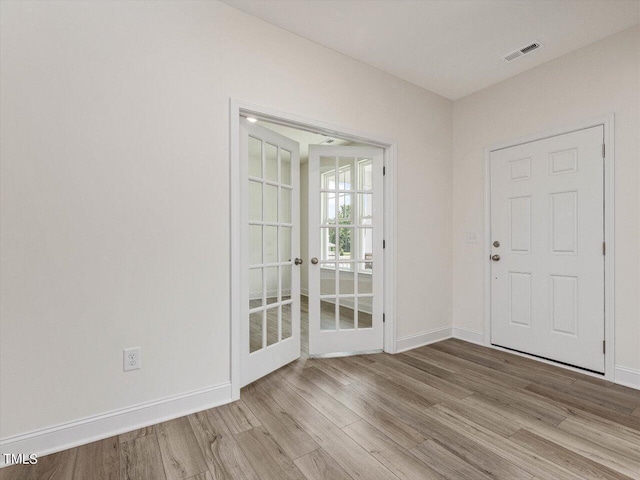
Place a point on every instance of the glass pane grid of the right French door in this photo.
(346, 241)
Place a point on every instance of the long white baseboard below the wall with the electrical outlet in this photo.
(61, 437)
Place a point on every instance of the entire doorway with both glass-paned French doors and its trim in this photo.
(312, 209)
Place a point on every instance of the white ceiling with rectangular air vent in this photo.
(450, 47)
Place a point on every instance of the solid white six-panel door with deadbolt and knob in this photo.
(547, 233)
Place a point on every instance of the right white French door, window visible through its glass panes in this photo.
(345, 246)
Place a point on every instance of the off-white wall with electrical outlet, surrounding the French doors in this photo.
(115, 192)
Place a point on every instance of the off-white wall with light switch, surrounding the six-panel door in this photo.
(599, 79)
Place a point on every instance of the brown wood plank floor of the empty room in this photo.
(449, 410)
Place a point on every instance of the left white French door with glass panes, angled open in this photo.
(270, 273)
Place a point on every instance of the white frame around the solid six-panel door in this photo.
(607, 121)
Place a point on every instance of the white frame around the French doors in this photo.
(238, 230)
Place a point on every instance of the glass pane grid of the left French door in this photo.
(270, 244)
